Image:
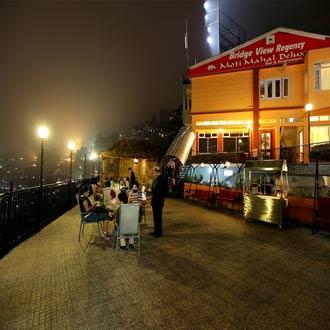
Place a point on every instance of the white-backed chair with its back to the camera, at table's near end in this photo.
(129, 224)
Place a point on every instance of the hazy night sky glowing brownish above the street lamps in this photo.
(88, 67)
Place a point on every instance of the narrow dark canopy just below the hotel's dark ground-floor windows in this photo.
(233, 157)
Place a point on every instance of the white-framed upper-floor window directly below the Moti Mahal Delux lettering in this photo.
(274, 88)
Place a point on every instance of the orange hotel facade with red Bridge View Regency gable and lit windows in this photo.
(265, 96)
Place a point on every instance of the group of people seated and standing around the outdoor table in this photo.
(107, 201)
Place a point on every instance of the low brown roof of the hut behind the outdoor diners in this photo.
(133, 149)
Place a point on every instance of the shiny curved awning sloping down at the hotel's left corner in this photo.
(181, 145)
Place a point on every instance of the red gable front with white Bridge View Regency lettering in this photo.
(281, 45)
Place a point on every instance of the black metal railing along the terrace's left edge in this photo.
(24, 212)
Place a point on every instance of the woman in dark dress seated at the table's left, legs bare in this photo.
(103, 214)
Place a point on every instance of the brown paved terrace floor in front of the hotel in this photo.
(211, 270)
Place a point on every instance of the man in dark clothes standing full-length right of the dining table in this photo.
(159, 190)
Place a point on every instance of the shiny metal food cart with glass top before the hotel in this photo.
(265, 190)
